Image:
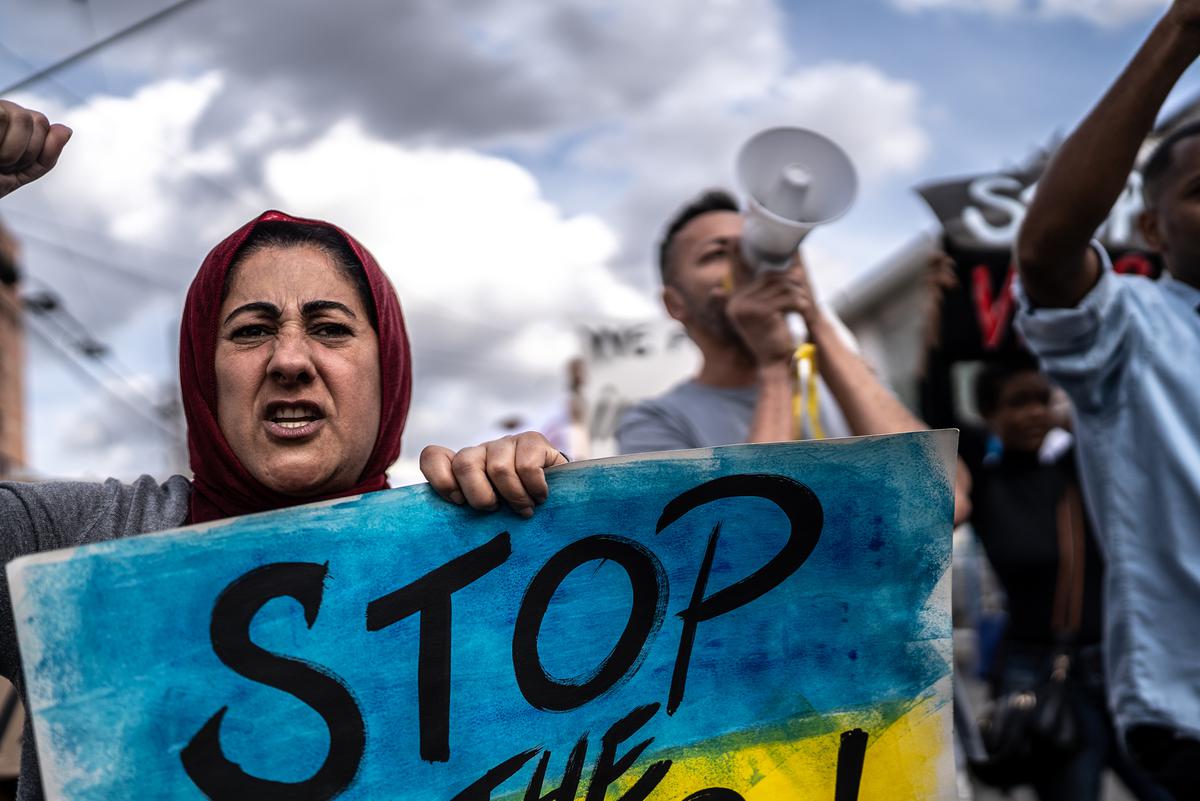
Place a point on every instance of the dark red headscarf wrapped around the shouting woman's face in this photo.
(223, 487)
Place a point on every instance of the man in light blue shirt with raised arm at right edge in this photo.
(1127, 352)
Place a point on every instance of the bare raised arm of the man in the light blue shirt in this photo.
(1090, 171)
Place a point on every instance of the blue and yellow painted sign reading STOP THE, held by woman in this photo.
(735, 624)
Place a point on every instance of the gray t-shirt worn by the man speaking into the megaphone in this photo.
(698, 415)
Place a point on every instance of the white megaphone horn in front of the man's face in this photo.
(794, 180)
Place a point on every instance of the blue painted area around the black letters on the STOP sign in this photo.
(123, 676)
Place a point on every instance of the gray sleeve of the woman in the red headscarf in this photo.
(63, 515)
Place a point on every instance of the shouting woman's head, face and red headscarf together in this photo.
(296, 370)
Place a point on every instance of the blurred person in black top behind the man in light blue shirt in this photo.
(1016, 498)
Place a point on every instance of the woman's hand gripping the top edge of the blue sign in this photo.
(511, 469)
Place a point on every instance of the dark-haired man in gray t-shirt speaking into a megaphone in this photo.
(743, 393)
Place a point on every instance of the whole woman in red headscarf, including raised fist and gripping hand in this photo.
(297, 377)
